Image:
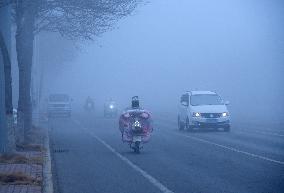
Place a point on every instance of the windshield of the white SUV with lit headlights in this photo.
(205, 99)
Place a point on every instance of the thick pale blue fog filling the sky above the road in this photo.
(167, 47)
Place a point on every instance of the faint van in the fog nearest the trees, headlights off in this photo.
(59, 104)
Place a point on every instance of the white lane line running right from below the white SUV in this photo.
(232, 149)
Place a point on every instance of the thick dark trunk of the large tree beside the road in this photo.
(24, 47)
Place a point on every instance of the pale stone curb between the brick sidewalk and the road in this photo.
(47, 172)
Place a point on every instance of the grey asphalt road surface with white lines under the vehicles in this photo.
(89, 157)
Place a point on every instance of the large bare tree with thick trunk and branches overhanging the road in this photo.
(83, 19)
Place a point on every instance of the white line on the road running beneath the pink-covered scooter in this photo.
(151, 179)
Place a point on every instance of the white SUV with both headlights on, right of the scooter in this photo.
(203, 109)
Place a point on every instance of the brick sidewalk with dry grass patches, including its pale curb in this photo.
(28, 171)
